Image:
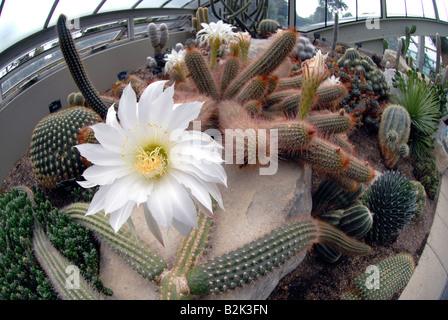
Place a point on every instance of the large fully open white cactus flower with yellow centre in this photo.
(148, 158)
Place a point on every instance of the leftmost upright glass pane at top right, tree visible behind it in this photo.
(311, 16)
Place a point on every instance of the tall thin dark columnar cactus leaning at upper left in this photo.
(76, 68)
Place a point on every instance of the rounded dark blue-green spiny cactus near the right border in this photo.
(393, 199)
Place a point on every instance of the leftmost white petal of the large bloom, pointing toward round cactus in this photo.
(97, 154)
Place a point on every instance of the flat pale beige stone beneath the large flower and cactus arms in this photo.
(254, 206)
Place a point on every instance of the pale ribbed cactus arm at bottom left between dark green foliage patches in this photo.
(55, 266)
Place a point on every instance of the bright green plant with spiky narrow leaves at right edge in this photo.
(424, 102)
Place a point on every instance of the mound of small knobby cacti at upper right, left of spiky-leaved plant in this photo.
(363, 65)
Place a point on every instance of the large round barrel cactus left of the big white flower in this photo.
(53, 156)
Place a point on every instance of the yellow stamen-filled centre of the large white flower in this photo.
(151, 162)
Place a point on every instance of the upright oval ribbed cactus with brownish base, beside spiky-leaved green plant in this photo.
(393, 134)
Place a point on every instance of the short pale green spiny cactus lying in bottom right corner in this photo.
(383, 280)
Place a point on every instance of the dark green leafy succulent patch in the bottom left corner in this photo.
(21, 276)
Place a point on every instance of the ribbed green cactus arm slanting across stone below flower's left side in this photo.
(138, 254)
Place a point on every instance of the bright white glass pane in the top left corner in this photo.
(22, 18)
